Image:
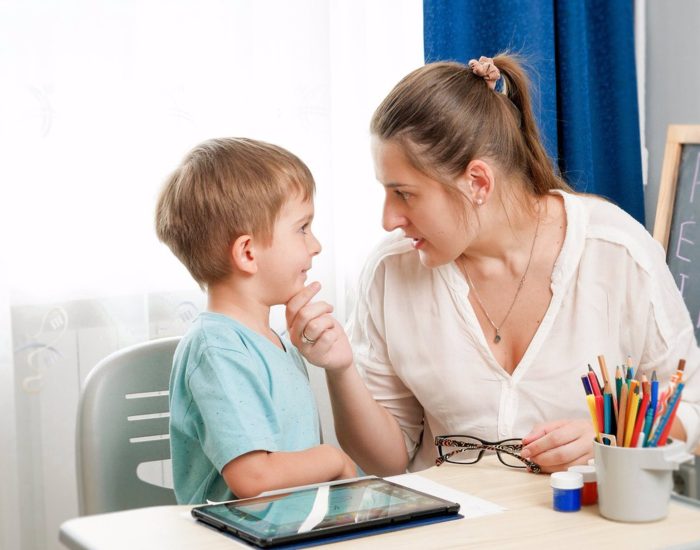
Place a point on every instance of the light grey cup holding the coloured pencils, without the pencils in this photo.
(634, 483)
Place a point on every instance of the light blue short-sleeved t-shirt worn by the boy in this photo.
(233, 391)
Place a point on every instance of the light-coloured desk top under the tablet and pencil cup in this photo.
(528, 522)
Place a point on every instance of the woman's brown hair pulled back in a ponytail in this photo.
(444, 116)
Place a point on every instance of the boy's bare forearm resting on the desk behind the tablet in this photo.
(252, 473)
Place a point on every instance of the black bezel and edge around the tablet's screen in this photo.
(442, 508)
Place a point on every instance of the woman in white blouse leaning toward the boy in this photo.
(480, 316)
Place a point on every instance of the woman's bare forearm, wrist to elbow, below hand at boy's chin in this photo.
(365, 429)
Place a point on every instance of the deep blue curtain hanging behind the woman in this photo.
(580, 58)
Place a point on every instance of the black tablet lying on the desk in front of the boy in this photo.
(322, 510)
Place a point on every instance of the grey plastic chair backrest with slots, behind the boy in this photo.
(123, 418)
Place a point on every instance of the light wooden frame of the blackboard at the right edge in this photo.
(678, 135)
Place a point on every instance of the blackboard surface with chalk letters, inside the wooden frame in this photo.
(683, 252)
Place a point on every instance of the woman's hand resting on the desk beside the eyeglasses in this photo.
(557, 445)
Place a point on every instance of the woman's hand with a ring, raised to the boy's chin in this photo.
(315, 332)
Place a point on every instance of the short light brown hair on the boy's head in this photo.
(225, 188)
